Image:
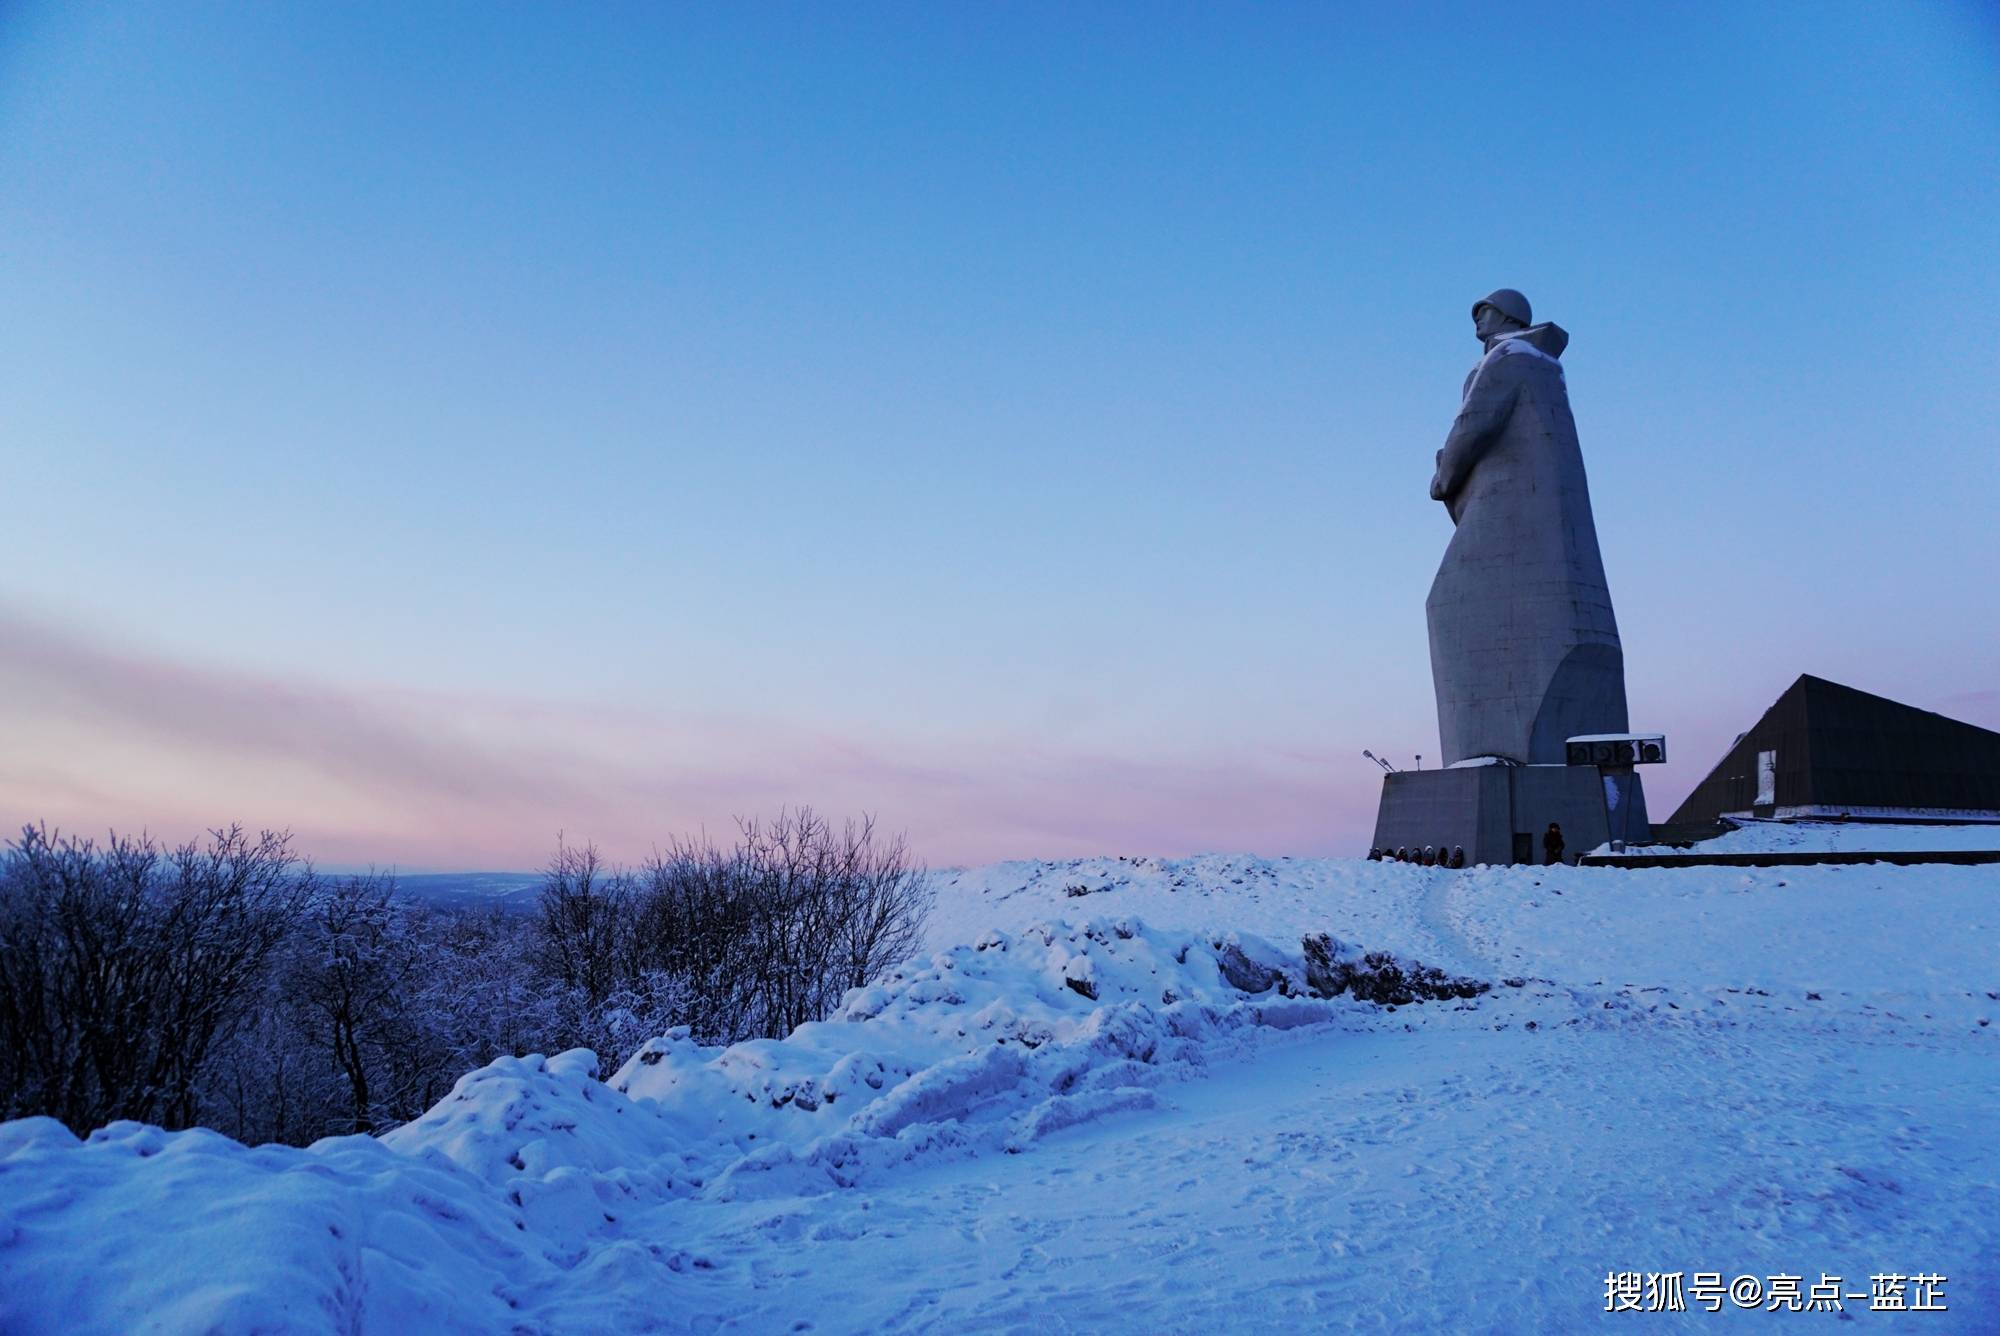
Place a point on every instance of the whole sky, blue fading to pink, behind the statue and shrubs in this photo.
(433, 427)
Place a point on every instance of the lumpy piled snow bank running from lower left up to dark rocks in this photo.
(533, 1175)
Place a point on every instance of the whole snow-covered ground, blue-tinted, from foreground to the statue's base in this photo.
(1073, 1117)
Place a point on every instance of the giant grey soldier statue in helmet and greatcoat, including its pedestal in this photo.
(1523, 645)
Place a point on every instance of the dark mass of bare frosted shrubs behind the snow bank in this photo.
(227, 985)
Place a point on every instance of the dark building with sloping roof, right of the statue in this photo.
(1829, 751)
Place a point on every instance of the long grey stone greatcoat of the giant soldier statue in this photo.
(1523, 643)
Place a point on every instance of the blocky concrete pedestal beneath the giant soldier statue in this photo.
(1499, 813)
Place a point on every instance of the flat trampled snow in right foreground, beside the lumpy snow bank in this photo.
(1443, 1179)
